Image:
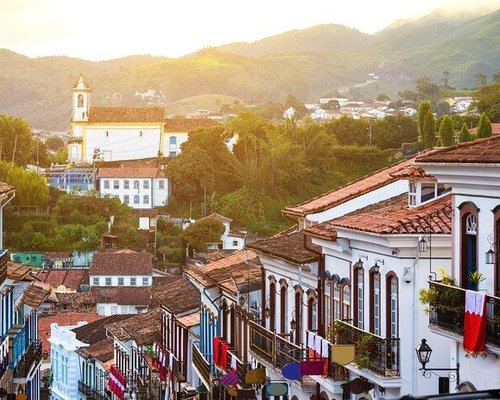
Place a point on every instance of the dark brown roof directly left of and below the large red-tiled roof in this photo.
(287, 246)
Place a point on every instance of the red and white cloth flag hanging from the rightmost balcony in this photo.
(475, 322)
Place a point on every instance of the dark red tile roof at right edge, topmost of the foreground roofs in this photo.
(483, 151)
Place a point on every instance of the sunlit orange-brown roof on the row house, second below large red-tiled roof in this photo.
(225, 272)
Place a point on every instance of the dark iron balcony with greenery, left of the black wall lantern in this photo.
(372, 352)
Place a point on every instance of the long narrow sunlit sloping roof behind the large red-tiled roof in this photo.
(349, 191)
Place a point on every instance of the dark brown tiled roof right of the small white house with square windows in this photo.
(178, 296)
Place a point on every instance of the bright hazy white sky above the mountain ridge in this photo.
(105, 29)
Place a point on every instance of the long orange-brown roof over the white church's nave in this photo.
(126, 114)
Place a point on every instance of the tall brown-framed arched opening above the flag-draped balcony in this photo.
(469, 229)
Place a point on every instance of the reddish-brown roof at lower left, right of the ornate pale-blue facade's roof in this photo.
(144, 328)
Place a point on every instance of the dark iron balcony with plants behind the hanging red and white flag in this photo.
(447, 309)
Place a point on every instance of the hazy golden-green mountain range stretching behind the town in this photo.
(308, 63)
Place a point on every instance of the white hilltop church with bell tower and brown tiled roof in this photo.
(123, 133)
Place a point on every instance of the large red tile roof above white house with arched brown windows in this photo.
(392, 216)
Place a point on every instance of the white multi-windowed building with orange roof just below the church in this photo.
(142, 187)
